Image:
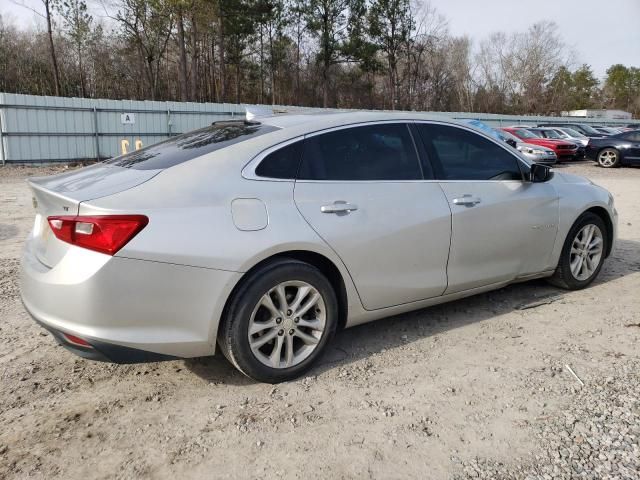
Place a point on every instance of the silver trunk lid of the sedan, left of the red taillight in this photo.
(62, 195)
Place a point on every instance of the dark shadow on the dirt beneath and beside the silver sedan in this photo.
(363, 341)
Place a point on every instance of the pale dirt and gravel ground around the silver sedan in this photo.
(474, 388)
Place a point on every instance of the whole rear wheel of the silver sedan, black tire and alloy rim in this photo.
(289, 345)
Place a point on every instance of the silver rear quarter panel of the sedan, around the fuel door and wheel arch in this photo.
(189, 207)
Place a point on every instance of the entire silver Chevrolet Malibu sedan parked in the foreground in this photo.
(263, 238)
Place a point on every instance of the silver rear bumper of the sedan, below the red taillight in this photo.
(126, 310)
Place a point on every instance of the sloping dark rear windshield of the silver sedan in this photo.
(191, 145)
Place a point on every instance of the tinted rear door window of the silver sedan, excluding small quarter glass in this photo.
(372, 152)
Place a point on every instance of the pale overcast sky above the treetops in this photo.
(601, 32)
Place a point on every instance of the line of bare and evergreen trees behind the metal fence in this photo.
(388, 54)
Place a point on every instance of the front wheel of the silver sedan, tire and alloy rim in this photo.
(572, 258)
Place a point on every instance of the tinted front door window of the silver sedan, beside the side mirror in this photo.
(458, 154)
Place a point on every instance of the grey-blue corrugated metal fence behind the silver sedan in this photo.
(36, 129)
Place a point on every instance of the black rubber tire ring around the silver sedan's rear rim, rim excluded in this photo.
(236, 323)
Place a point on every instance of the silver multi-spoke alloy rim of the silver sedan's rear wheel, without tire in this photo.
(287, 324)
